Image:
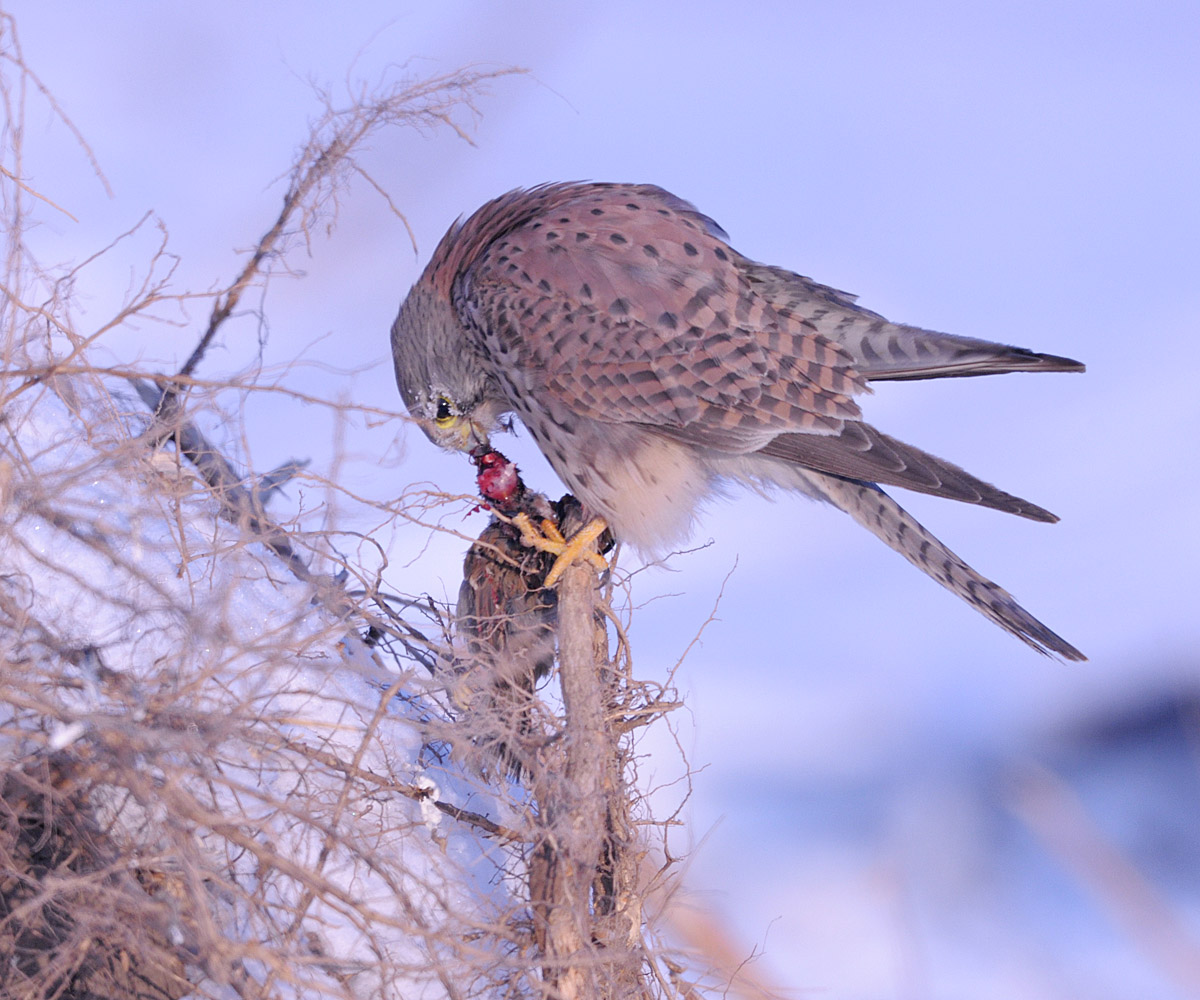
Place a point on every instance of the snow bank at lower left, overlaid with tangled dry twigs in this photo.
(227, 706)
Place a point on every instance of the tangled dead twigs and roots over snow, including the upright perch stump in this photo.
(238, 762)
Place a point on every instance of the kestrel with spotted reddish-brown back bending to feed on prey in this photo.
(653, 364)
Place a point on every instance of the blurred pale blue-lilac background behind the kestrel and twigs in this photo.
(892, 799)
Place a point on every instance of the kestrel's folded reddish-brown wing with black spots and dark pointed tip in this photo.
(626, 307)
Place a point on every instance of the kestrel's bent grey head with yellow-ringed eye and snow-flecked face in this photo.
(446, 388)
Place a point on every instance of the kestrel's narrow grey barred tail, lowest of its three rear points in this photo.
(877, 512)
